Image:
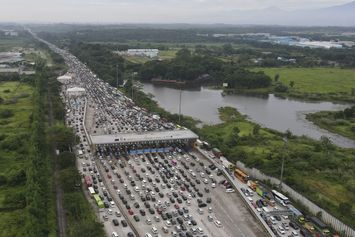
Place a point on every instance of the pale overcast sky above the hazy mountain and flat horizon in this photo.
(141, 11)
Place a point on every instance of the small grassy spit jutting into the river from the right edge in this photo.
(335, 122)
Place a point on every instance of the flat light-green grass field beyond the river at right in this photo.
(315, 80)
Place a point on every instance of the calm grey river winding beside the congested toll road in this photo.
(272, 112)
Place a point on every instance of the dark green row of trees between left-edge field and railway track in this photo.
(38, 186)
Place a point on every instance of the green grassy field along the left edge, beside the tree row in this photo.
(14, 149)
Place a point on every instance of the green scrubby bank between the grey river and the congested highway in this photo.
(311, 166)
